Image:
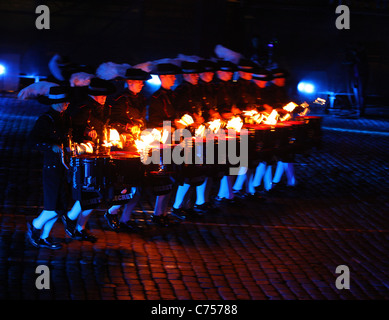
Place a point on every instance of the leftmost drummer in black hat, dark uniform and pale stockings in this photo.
(49, 135)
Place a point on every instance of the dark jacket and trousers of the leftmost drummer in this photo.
(50, 129)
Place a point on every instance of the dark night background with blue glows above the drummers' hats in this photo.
(308, 42)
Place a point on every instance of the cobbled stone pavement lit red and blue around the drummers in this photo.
(286, 248)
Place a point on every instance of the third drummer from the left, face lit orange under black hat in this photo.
(128, 111)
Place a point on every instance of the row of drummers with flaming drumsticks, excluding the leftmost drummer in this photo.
(206, 93)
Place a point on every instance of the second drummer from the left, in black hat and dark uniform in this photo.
(88, 120)
